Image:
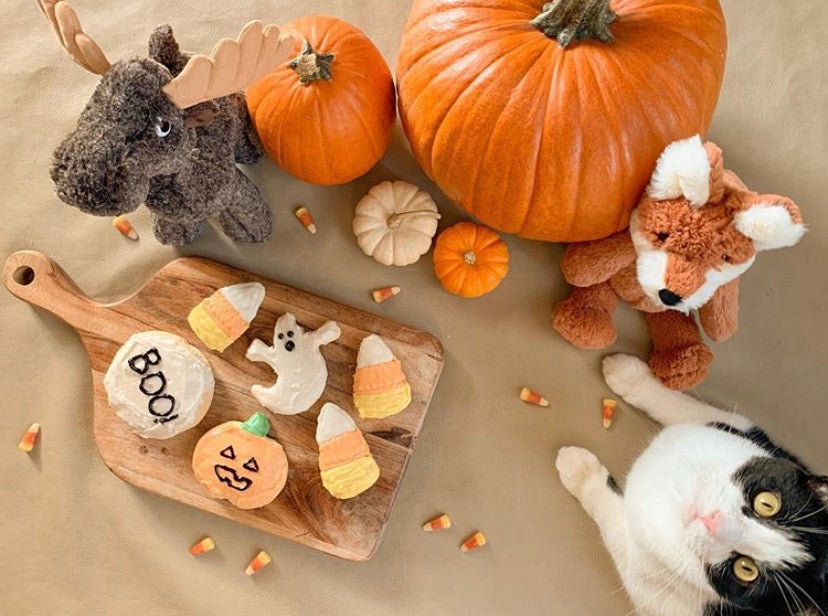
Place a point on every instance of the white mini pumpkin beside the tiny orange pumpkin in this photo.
(395, 222)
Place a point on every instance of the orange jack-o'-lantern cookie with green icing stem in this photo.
(237, 462)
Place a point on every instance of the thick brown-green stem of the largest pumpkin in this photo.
(570, 20)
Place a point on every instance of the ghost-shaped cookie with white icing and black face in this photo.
(302, 371)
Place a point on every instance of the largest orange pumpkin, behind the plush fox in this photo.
(546, 141)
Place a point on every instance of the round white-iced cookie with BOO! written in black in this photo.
(159, 385)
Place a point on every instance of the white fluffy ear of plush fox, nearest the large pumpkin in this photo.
(683, 169)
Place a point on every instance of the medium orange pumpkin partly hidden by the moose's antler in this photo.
(326, 116)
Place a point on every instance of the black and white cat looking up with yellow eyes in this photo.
(715, 519)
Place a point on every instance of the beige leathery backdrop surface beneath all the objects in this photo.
(74, 539)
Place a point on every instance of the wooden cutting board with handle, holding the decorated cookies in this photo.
(304, 511)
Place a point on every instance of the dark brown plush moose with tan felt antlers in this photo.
(167, 131)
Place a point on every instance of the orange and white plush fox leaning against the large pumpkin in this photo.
(695, 231)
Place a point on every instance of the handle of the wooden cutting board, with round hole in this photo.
(36, 279)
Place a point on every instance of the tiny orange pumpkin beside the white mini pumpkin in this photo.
(470, 260)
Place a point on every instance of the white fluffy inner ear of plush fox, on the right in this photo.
(771, 222)
